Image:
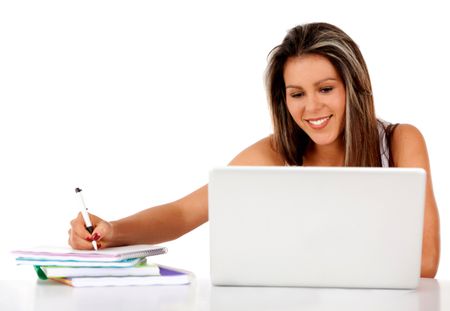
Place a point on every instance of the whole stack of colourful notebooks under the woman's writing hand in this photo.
(116, 266)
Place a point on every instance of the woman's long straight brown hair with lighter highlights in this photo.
(360, 136)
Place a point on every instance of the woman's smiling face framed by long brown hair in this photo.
(315, 97)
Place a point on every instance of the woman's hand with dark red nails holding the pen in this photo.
(80, 238)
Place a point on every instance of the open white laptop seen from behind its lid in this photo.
(316, 226)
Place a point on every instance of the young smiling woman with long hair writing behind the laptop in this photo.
(323, 115)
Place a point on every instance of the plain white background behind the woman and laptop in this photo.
(135, 101)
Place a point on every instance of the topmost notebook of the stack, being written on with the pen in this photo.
(112, 254)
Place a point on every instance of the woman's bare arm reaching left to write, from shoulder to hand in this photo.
(165, 222)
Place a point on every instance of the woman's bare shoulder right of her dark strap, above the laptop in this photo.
(408, 147)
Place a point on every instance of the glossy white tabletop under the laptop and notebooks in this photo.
(200, 295)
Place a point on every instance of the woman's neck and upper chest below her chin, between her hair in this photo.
(324, 155)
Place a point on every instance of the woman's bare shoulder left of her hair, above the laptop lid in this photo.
(262, 153)
